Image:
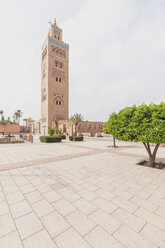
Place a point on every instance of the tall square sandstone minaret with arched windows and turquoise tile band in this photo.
(54, 78)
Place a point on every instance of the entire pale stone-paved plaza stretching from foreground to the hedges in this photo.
(80, 195)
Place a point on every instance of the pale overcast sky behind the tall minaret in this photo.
(117, 53)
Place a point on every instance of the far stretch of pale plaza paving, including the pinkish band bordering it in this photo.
(23, 155)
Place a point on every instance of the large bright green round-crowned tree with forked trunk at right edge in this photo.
(140, 123)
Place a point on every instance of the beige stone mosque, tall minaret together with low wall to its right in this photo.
(55, 88)
